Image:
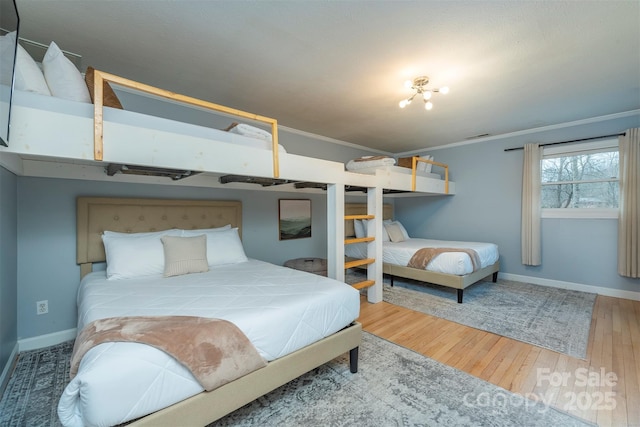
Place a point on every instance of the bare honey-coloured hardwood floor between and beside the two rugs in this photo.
(604, 389)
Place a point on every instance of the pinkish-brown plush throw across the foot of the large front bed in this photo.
(214, 350)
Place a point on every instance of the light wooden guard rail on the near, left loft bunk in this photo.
(100, 77)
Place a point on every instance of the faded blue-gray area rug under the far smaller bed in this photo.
(551, 318)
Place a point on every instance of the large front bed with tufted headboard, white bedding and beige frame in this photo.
(295, 320)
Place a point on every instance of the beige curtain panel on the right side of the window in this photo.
(629, 218)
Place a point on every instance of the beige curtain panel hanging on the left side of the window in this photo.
(531, 210)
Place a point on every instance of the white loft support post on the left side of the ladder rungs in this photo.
(335, 231)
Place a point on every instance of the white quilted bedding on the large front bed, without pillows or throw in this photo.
(280, 310)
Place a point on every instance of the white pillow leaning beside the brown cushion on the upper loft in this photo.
(63, 78)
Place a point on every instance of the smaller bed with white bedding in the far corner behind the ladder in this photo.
(457, 270)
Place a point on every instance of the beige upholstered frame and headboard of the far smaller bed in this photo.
(449, 280)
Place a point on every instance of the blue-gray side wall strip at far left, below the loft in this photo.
(8, 265)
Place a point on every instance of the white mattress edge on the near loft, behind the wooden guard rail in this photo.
(136, 120)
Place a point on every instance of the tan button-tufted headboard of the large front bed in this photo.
(97, 214)
